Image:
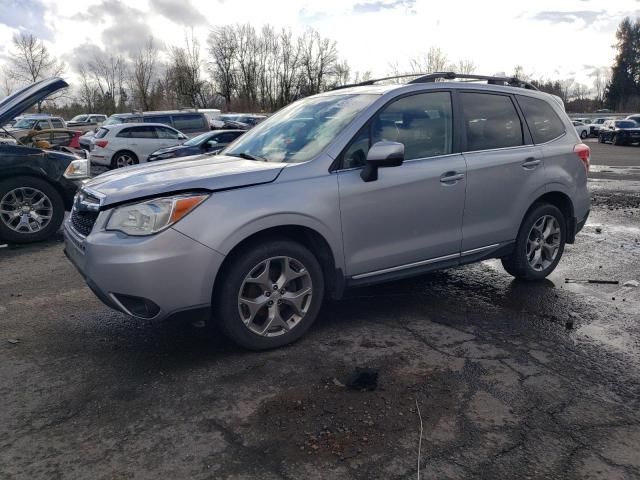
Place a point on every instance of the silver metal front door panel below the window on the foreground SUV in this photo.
(408, 215)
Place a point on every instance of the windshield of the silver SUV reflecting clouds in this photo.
(299, 132)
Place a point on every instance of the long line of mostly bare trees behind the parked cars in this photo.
(241, 68)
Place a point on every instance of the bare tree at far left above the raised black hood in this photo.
(30, 61)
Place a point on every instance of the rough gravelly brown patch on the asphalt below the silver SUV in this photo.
(327, 419)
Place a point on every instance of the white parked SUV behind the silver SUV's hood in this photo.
(126, 144)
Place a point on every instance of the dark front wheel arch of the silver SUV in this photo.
(304, 235)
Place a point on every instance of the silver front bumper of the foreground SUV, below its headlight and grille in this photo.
(151, 277)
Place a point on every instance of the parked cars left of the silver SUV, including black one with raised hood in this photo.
(43, 159)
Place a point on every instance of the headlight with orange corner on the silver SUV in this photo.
(152, 216)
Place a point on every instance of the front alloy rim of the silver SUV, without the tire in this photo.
(275, 296)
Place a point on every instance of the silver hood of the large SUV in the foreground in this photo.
(201, 172)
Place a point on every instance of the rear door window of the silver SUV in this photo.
(491, 121)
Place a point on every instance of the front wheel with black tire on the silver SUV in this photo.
(243, 288)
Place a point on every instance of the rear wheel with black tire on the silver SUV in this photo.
(521, 262)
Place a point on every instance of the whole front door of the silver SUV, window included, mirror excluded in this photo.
(413, 212)
